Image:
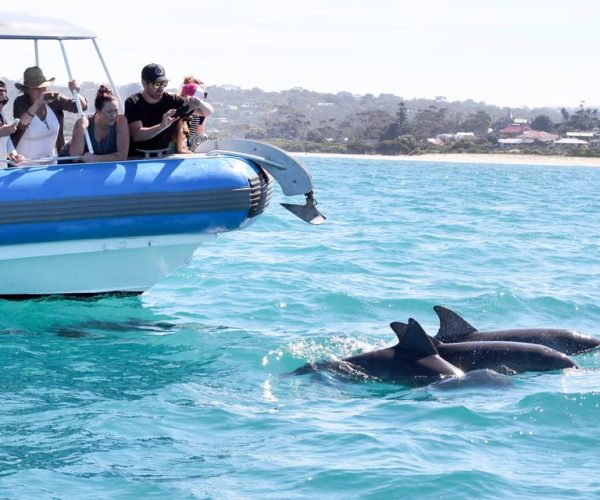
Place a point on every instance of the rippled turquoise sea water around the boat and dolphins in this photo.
(183, 391)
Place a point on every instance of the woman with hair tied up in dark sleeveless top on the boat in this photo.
(107, 129)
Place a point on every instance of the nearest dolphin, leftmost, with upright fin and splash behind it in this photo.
(413, 358)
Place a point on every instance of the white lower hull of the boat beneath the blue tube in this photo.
(89, 267)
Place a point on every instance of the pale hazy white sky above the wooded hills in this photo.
(508, 53)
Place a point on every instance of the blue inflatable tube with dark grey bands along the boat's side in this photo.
(128, 199)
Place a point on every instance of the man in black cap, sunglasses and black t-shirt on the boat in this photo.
(150, 112)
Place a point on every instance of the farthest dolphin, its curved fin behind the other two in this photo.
(453, 328)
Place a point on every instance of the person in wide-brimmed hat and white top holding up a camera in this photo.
(40, 131)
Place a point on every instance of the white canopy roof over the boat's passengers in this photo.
(27, 27)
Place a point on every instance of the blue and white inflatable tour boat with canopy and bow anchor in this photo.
(120, 227)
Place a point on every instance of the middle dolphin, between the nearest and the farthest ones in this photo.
(506, 358)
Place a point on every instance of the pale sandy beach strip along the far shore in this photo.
(492, 158)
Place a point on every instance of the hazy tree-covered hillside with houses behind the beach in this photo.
(301, 120)
